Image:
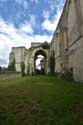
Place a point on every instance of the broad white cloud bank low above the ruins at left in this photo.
(12, 37)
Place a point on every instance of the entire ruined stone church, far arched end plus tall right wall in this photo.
(67, 44)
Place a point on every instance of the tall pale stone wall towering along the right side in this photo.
(68, 39)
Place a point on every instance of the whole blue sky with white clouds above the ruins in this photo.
(26, 21)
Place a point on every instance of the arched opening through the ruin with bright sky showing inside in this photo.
(40, 62)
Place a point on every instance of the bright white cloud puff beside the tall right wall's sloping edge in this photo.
(50, 25)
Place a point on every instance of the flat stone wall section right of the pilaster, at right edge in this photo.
(75, 40)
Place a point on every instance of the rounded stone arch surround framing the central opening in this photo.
(34, 53)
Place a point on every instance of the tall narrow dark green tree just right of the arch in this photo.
(52, 62)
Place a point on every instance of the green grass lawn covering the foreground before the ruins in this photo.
(40, 100)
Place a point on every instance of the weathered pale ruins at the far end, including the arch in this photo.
(27, 56)
